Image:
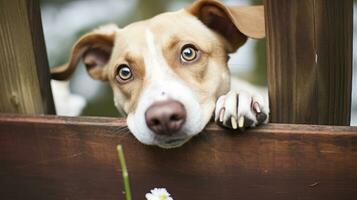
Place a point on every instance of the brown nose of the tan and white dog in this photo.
(165, 117)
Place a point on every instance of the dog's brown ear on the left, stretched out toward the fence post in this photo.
(95, 49)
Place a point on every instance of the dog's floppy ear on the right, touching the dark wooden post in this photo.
(234, 23)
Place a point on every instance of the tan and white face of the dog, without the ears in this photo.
(173, 63)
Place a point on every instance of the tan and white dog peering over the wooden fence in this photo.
(169, 74)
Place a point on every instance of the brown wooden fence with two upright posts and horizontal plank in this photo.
(309, 45)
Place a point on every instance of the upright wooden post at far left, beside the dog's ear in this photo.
(24, 72)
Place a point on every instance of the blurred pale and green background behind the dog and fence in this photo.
(64, 21)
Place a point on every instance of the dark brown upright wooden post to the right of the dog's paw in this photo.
(309, 46)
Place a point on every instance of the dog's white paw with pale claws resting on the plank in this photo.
(239, 110)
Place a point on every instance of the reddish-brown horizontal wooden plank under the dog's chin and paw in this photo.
(48, 157)
